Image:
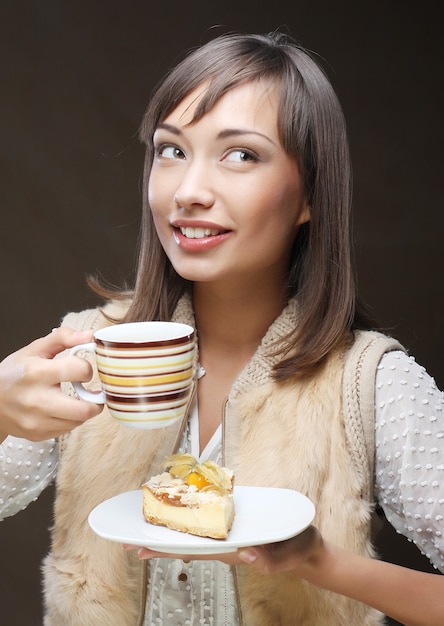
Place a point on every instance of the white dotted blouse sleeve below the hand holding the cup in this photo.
(26, 468)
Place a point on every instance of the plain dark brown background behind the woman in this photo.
(75, 76)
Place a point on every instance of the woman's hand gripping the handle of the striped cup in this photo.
(32, 404)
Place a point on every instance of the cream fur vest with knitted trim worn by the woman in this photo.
(315, 437)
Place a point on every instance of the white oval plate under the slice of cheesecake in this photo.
(262, 515)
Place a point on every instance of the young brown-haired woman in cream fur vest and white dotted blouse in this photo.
(245, 235)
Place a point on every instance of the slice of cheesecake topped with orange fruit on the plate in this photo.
(191, 497)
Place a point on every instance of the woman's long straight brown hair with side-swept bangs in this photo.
(312, 130)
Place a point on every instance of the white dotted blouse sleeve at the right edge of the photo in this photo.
(409, 461)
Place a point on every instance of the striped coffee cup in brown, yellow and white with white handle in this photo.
(146, 370)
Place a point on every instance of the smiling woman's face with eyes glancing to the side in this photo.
(226, 198)
